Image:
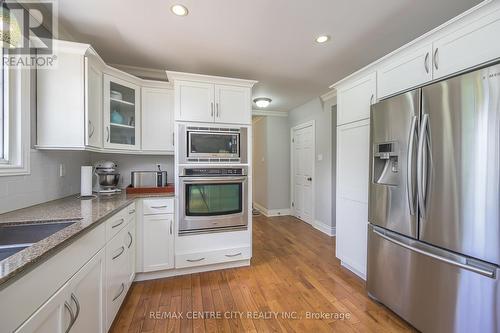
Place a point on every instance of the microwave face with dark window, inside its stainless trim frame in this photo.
(213, 145)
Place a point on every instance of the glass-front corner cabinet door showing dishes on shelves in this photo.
(121, 114)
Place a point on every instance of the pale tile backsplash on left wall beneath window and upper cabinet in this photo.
(43, 183)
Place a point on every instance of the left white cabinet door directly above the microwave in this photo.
(194, 101)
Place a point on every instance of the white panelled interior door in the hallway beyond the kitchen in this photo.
(303, 169)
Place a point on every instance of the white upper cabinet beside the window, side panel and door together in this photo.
(68, 97)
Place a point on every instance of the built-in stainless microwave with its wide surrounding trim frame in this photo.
(201, 144)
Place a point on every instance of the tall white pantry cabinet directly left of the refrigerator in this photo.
(354, 100)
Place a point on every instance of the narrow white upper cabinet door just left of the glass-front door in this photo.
(93, 102)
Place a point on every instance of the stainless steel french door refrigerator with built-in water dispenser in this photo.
(434, 204)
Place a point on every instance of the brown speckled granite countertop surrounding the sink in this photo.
(87, 214)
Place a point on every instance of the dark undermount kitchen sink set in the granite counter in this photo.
(14, 238)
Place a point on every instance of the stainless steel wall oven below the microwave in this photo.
(212, 199)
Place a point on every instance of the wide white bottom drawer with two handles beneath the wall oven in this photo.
(212, 257)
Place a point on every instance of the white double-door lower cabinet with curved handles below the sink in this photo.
(76, 307)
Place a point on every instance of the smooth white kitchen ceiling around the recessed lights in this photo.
(271, 41)
